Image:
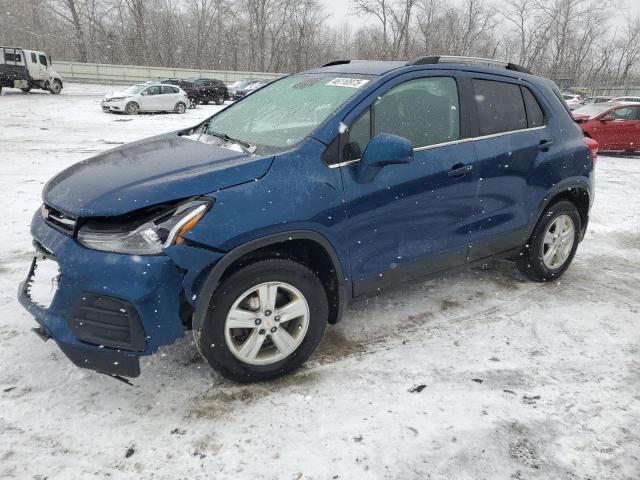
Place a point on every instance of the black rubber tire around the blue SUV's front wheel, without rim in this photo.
(211, 341)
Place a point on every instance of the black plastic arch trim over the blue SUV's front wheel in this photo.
(212, 279)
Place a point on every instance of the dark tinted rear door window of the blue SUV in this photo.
(500, 107)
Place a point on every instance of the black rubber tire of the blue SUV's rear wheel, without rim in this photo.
(530, 261)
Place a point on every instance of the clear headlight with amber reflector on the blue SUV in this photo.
(151, 233)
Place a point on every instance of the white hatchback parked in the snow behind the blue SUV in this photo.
(147, 98)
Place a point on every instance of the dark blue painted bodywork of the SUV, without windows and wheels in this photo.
(422, 214)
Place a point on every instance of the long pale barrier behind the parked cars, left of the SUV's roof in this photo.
(128, 74)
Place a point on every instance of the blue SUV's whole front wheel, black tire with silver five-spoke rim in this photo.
(263, 321)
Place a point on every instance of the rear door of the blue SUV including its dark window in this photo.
(512, 138)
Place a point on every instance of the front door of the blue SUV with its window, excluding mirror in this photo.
(411, 219)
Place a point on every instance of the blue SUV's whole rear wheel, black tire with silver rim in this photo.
(553, 243)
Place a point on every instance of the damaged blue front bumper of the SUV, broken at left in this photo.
(109, 309)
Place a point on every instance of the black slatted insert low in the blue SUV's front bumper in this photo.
(109, 322)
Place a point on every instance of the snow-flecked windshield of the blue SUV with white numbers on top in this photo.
(284, 112)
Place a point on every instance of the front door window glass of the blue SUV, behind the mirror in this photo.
(425, 111)
